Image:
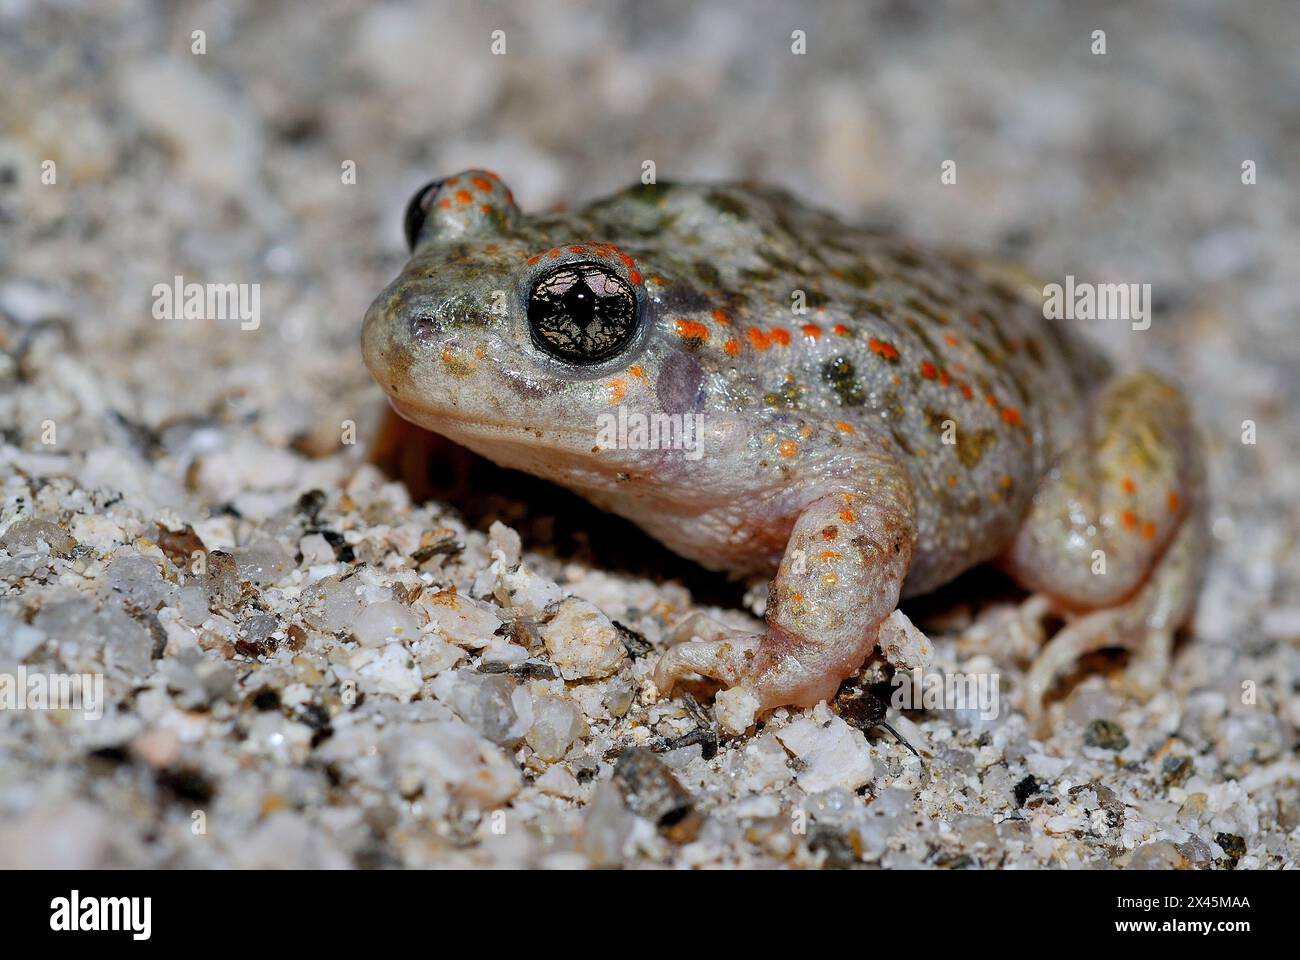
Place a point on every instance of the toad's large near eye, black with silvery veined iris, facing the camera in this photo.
(583, 313)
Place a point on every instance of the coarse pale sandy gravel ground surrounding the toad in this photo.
(315, 695)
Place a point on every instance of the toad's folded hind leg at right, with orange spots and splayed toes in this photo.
(1116, 531)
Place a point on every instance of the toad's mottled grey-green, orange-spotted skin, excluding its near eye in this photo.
(829, 362)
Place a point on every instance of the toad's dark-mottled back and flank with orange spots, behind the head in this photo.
(788, 309)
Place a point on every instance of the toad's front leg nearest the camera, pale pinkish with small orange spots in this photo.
(840, 577)
